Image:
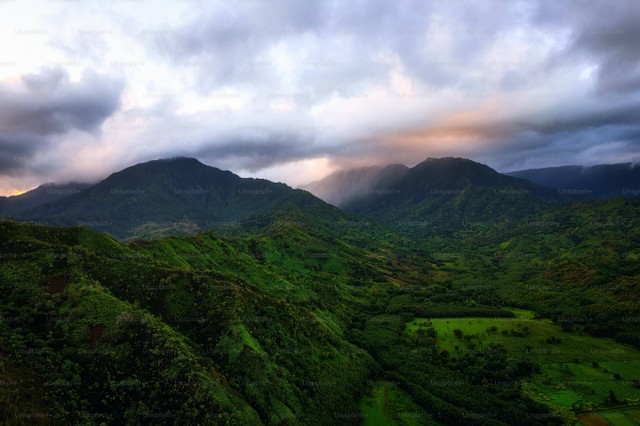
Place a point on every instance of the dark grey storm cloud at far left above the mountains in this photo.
(48, 105)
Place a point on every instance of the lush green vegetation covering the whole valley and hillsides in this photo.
(301, 313)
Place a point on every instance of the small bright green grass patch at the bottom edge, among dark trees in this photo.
(389, 405)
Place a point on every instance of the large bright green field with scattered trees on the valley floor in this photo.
(578, 371)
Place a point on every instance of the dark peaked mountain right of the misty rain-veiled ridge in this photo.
(442, 196)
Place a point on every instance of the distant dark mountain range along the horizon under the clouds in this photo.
(181, 196)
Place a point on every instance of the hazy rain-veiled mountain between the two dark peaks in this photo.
(345, 186)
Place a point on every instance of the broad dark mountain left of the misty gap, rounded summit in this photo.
(169, 197)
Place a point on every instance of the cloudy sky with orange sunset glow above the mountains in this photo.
(292, 90)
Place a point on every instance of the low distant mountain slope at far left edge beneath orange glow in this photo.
(45, 193)
